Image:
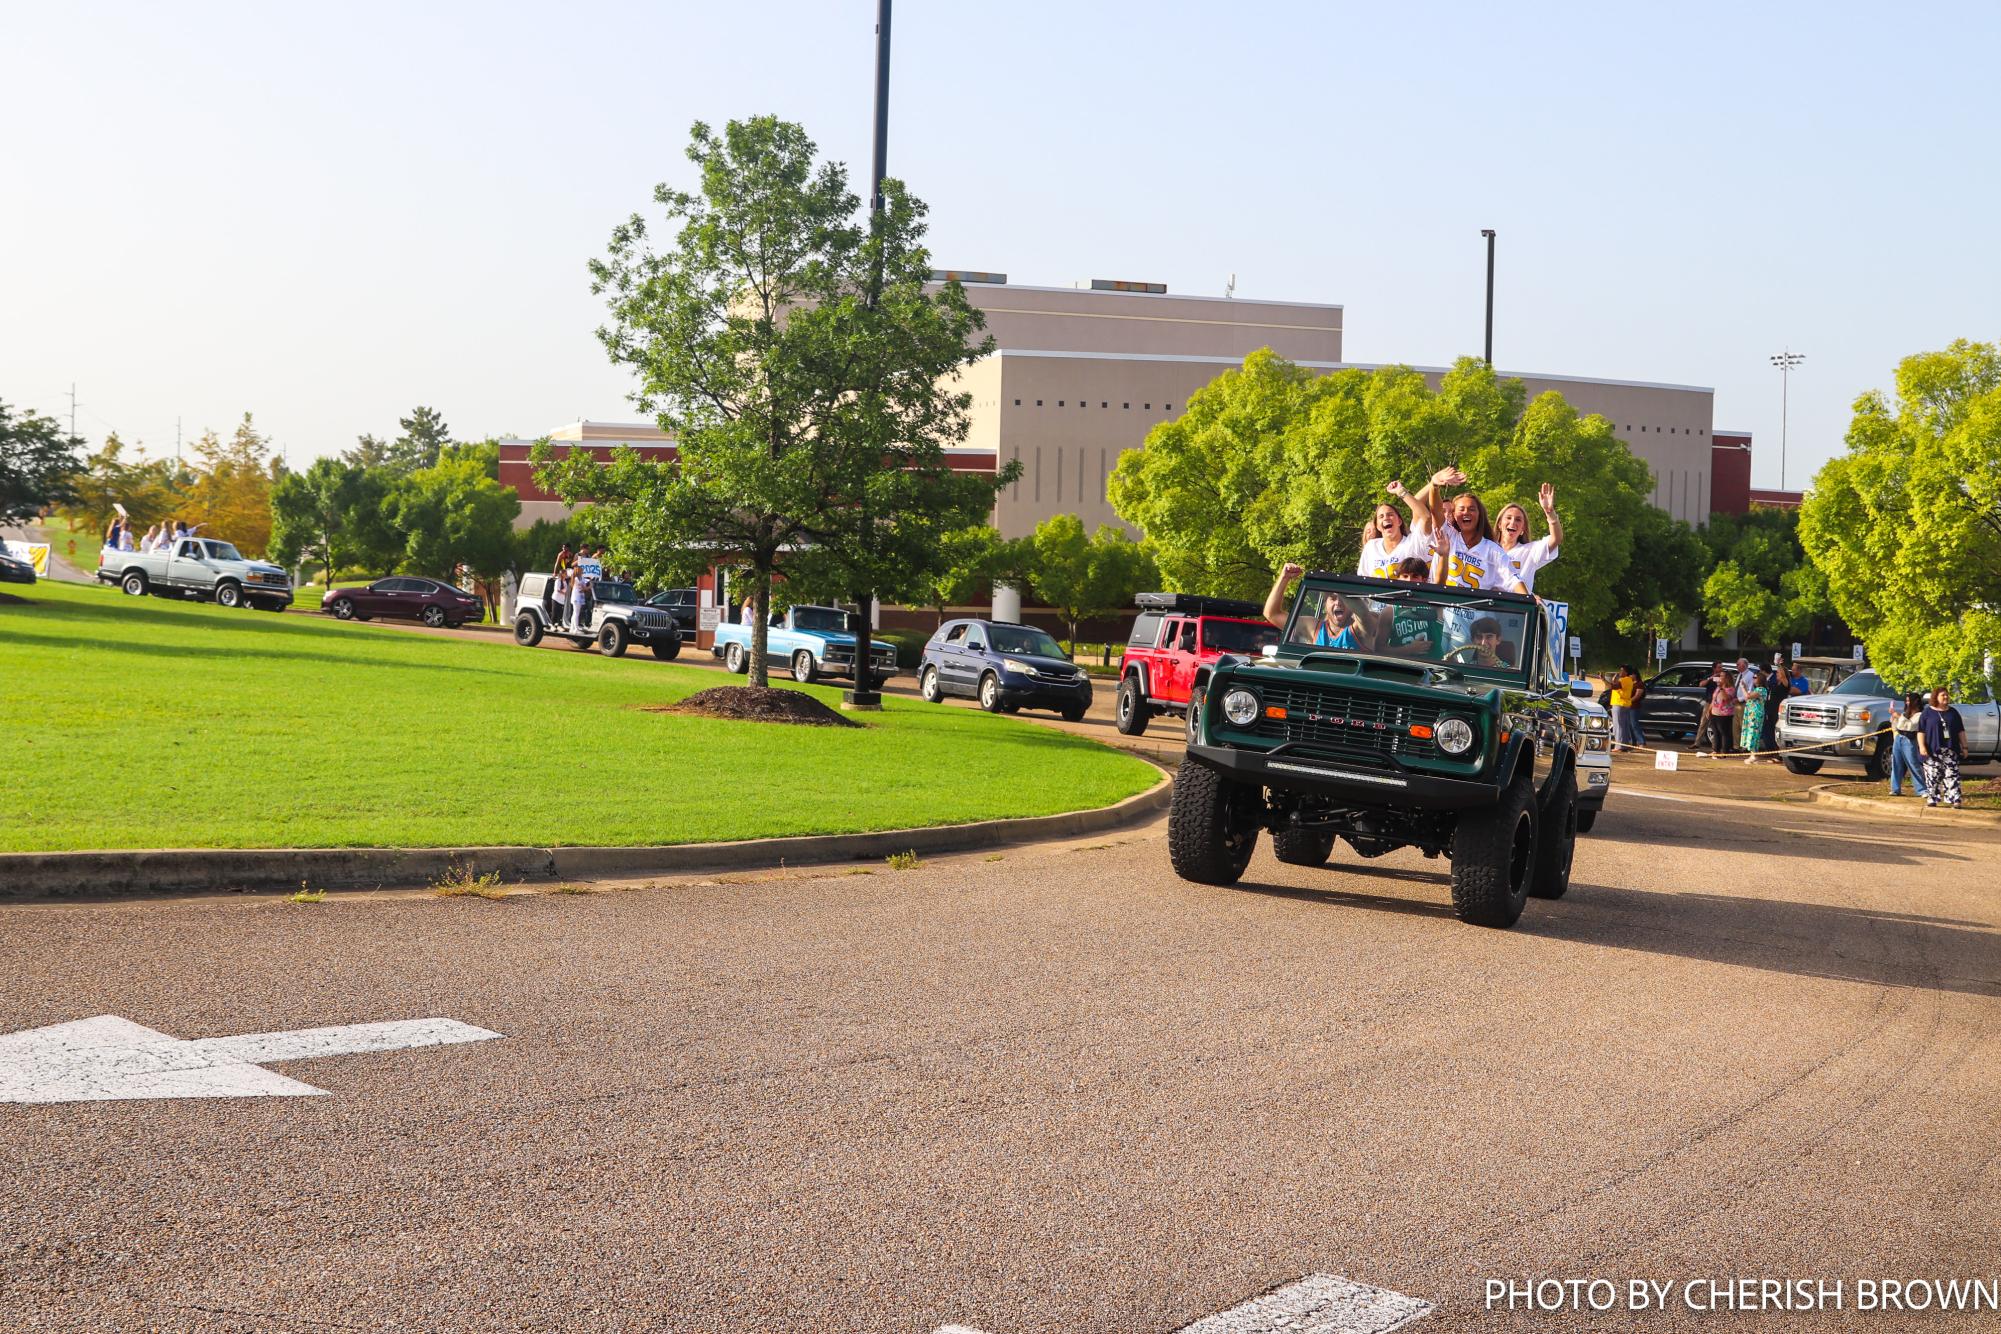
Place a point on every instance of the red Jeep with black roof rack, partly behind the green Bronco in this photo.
(1176, 639)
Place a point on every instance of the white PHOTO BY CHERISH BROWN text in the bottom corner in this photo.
(1744, 1295)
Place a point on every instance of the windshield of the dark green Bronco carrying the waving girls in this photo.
(1418, 623)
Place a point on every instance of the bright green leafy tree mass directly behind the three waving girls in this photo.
(1272, 463)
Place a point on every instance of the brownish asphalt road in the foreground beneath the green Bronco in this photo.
(1052, 1089)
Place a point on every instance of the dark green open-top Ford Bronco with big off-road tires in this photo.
(1390, 715)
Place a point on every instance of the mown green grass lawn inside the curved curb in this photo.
(139, 723)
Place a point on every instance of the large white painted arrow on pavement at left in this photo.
(107, 1059)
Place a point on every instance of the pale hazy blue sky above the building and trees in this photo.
(327, 215)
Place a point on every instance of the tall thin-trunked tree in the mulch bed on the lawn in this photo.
(791, 385)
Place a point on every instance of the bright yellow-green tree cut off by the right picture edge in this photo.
(1906, 527)
